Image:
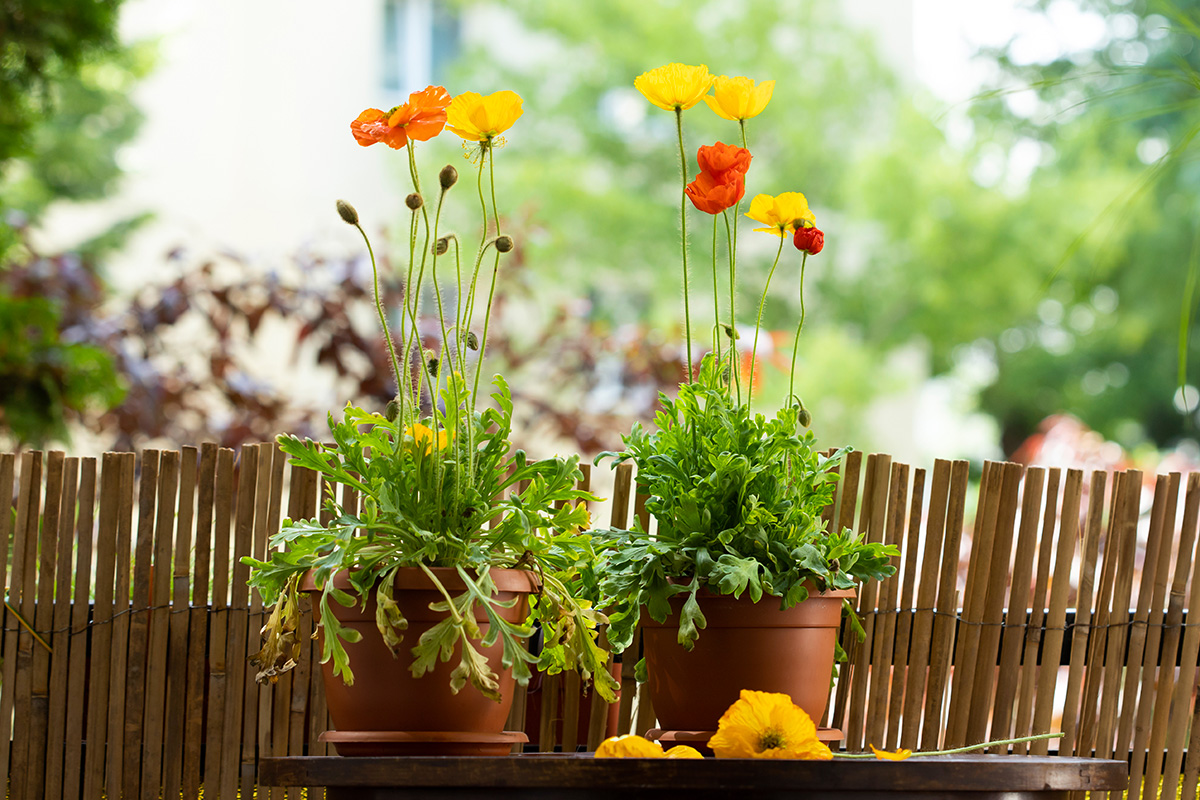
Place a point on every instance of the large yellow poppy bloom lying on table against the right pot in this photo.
(767, 725)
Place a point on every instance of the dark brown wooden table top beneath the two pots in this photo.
(585, 778)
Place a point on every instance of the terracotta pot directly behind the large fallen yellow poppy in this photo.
(746, 646)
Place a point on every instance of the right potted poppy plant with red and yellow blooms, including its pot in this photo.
(741, 551)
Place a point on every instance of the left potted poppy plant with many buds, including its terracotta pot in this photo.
(428, 587)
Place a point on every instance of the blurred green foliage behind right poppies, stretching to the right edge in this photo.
(1064, 279)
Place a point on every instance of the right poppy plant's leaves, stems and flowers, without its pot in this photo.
(737, 496)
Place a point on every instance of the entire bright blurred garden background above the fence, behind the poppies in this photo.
(1007, 189)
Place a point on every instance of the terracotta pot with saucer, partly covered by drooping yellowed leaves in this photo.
(386, 697)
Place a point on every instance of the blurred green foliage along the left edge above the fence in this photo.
(65, 111)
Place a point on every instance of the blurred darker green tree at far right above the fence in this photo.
(1126, 113)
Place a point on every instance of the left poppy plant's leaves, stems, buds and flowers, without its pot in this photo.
(436, 476)
